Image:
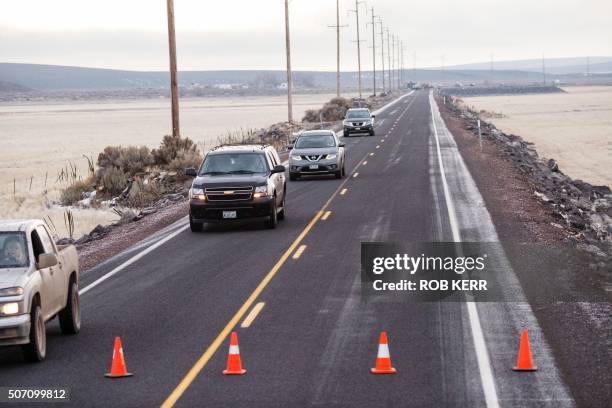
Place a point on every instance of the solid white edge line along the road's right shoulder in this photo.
(482, 354)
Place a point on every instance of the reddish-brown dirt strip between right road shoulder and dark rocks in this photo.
(580, 334)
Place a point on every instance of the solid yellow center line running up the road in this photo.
(214, 346)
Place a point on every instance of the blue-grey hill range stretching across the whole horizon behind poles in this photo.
(49, 78)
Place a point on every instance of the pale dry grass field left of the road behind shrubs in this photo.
(39, 140)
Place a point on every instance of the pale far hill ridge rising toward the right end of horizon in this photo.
(555, 66)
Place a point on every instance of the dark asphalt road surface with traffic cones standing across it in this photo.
(314, 340)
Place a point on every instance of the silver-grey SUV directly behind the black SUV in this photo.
(317, 152)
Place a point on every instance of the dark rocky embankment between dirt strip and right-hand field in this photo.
(582, 210)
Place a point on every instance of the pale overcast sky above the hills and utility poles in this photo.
(249, 34)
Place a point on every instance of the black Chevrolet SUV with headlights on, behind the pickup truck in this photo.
(237, 182)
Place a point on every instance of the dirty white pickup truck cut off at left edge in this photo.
(38, 281)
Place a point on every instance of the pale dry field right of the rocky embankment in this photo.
(574, 128)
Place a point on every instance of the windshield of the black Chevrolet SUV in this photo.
(234, 163)
